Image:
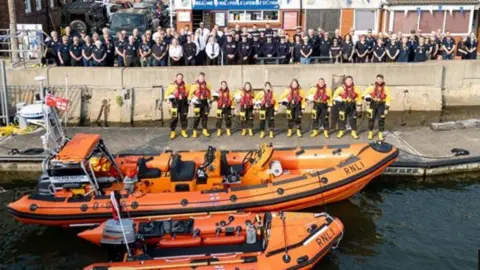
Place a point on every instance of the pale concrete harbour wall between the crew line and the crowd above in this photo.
(136, 94)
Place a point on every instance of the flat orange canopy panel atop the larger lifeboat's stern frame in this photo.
(79, 147)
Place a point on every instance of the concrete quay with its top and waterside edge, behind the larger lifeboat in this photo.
(425, 153)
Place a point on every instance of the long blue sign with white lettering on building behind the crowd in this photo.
(235, 4)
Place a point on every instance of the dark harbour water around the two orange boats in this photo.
(387, 226)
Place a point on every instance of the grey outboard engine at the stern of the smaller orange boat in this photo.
(113, 239)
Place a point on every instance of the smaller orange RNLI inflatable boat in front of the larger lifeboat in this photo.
(218, 241)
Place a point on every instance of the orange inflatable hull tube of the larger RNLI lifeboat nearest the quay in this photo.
(330, 182)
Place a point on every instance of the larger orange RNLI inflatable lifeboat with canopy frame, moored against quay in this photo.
(77, 181)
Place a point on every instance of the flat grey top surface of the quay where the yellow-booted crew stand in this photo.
(419, 141)
